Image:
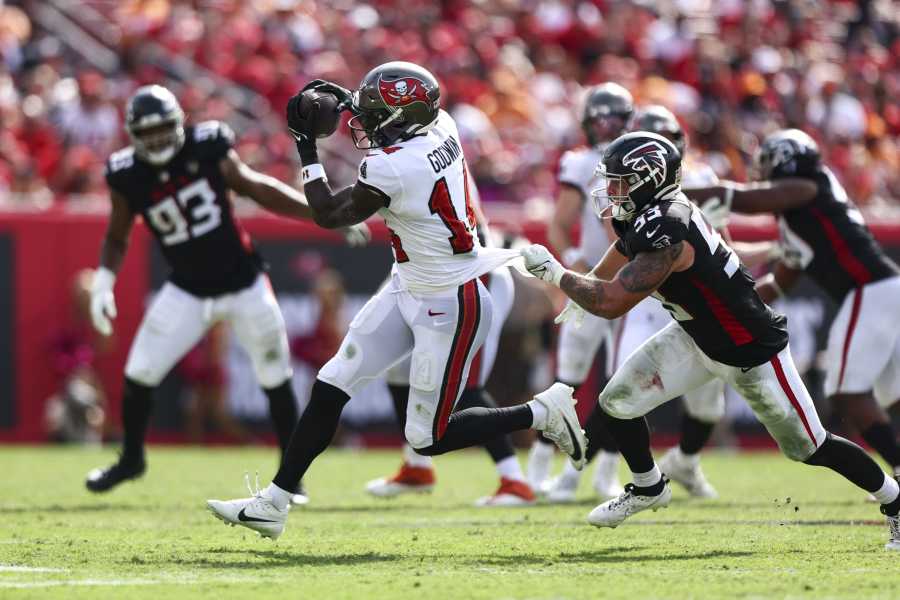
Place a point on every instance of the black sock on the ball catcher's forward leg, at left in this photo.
(313, 433)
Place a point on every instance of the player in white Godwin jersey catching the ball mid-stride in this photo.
(434, 309)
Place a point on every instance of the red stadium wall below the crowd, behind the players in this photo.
(45, 251)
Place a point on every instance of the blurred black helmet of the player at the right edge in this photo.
(787, 153)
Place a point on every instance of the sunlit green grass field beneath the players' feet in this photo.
(779, 530)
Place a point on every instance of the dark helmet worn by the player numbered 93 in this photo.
(155, 123)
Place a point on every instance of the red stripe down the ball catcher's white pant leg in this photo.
(468, 317)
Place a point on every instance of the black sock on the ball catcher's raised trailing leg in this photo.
(475, 426)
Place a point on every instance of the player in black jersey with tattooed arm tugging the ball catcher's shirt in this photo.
(722, 329)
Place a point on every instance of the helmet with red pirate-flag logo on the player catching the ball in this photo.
(394, 102)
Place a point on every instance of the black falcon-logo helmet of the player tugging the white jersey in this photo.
(639, 169)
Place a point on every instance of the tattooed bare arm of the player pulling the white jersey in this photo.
(634, 282)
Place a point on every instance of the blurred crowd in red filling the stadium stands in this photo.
(512, 74)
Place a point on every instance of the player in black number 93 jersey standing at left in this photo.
(178, 178)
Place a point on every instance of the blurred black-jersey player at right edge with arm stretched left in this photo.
(824, 235)
